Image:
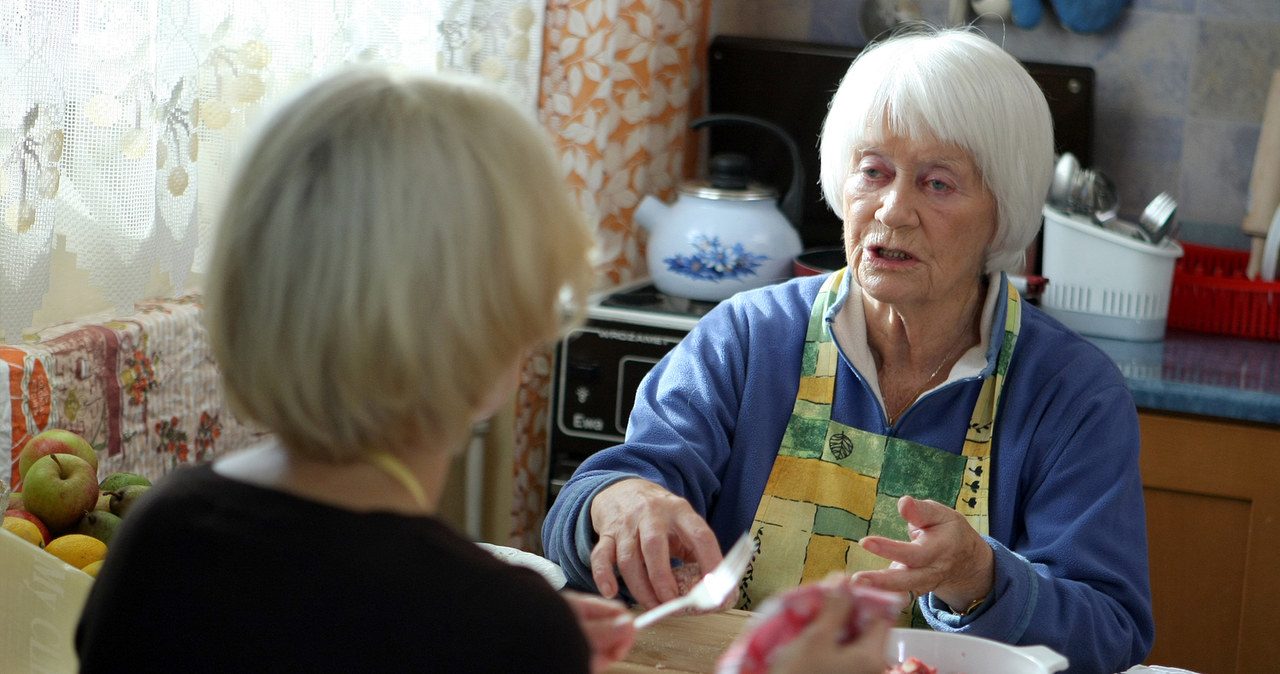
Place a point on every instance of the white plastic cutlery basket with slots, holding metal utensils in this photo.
(1107, 285)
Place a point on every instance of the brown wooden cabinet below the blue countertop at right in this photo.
(1213, 492)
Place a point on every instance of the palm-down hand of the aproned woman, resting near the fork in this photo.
(642, 529)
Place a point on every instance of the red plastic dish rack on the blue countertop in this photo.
(1212, 295)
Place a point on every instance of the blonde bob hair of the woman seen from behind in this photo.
(391, 246)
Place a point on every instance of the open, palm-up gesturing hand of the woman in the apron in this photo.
(945, 556)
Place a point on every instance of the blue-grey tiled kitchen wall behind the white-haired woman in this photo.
(1181, 89)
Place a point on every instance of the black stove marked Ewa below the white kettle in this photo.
(600, 366)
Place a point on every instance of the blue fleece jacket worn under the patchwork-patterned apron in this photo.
(1068, 524)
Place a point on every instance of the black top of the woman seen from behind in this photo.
(212, 575)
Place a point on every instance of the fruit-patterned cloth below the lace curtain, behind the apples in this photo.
(143, 389)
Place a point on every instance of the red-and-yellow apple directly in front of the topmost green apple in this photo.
(60, 490)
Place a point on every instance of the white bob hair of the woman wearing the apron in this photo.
(954, 86)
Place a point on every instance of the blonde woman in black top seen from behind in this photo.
(392, 246)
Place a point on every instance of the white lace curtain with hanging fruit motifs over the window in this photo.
(120, 118)
